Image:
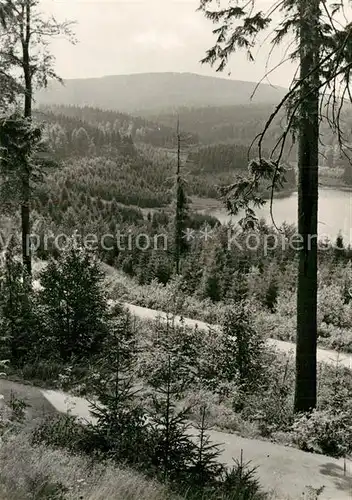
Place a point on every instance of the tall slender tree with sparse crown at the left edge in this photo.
(24, 52)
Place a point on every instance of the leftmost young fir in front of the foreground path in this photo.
(120, 429)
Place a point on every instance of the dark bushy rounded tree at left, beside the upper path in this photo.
(74, 303)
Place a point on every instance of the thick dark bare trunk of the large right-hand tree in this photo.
(306, 362)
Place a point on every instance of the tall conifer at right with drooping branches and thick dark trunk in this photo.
(322, 48)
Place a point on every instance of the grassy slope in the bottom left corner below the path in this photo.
(39, 472)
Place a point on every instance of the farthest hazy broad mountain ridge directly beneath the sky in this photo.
(136, 92)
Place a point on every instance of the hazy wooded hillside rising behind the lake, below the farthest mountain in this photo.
(240, 124)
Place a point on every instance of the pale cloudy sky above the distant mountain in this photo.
(136, 36)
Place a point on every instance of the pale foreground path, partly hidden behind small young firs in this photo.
(290, 473)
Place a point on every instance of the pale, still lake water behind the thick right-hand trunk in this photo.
(335, 213)
